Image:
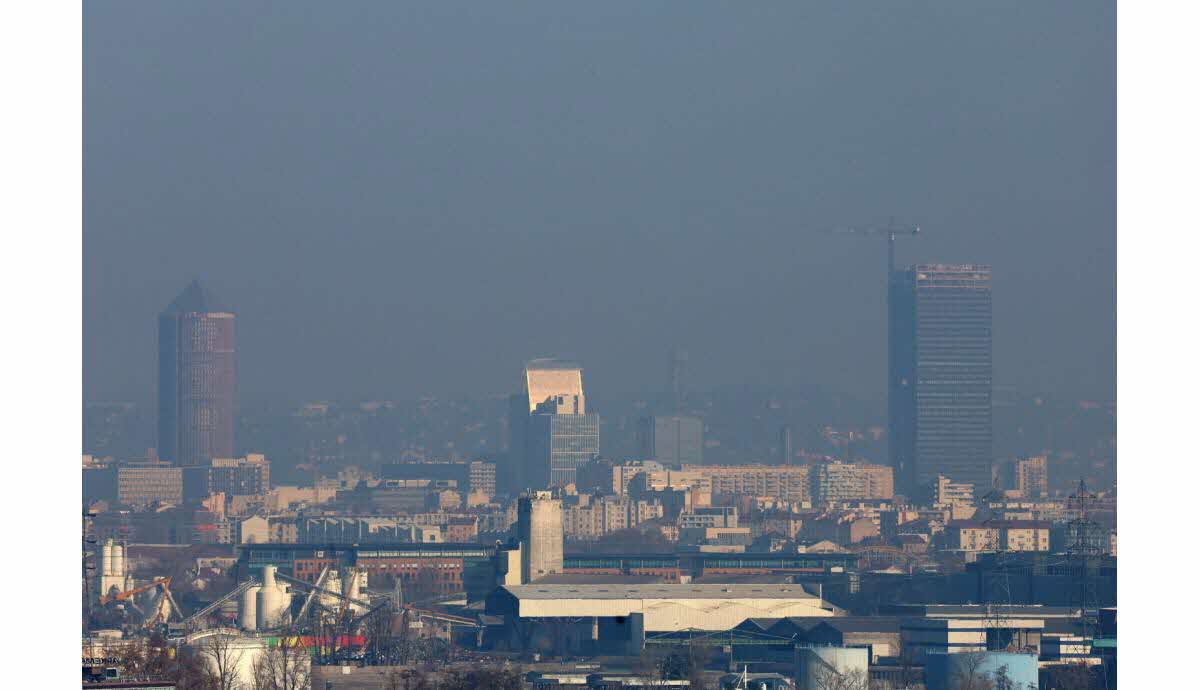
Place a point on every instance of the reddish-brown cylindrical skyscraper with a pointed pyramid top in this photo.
(197, 379)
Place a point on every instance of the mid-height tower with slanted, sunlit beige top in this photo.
(550, 431)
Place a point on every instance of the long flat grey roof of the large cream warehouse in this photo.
(538, 591)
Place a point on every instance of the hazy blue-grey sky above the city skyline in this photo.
(412, 199)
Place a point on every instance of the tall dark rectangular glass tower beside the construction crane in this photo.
(940, 375)
